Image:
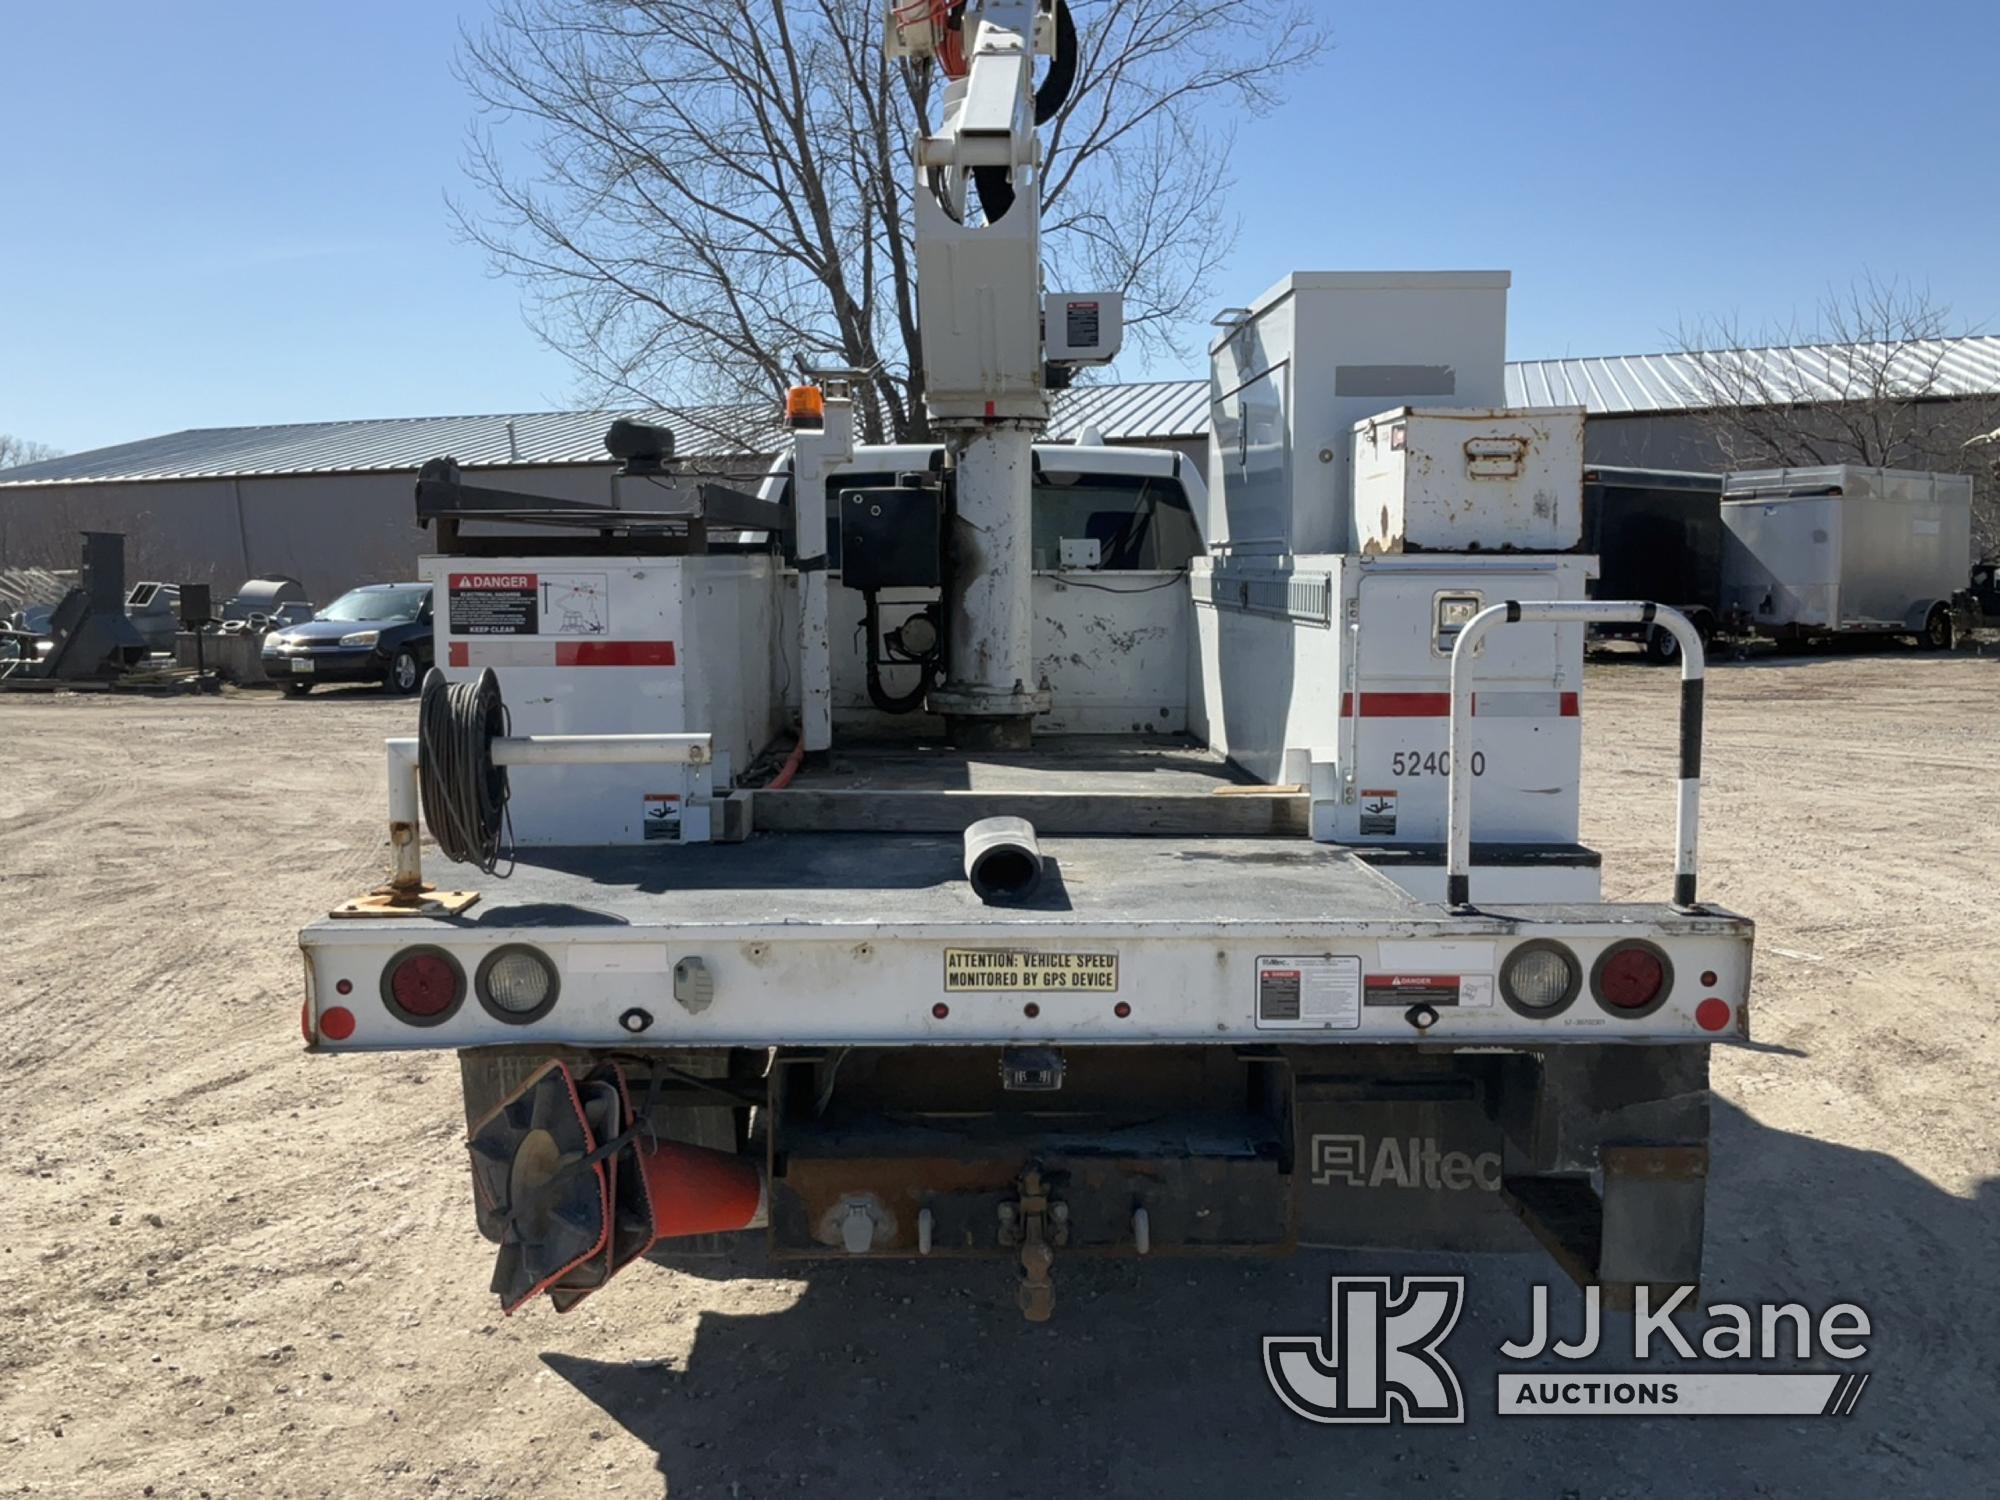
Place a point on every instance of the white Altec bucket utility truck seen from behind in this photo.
(1025, 851)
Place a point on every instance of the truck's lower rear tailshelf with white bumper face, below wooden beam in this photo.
(847, 941)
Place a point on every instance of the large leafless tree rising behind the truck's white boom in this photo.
(701, 193)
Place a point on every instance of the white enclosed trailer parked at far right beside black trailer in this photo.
(1845, 551)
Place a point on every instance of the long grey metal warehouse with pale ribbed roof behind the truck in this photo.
(331, 503)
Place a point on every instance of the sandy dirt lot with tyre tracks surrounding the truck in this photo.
(233, 1271)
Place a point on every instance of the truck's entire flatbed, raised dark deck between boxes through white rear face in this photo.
(1179, 903)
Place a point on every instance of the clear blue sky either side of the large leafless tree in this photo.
(235, 213)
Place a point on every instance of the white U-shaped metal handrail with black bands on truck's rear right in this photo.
(1693, 667)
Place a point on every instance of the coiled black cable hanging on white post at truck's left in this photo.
(463, 791)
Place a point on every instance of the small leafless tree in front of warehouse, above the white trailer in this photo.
(1869, 381)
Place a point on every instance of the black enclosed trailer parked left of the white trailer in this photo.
(1659, 537)
